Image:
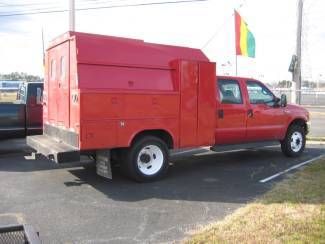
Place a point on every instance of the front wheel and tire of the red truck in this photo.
(294, 143)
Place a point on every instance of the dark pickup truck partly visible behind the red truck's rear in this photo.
(24, 116)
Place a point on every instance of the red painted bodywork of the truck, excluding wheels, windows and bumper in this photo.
(115, 88)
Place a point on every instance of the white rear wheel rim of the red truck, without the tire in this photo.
(150, 160)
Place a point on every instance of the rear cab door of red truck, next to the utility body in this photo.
(231, 112)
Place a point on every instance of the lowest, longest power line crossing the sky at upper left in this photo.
(103, 7)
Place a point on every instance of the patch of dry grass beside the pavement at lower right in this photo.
(292, 212)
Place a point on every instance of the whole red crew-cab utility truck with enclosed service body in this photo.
(130, 101)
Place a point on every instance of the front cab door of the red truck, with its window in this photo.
(266, 120)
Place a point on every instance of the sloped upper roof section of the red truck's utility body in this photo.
(100, 49)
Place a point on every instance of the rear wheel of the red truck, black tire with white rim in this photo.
(147, 160)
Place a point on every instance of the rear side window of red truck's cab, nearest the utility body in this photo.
(229, 91)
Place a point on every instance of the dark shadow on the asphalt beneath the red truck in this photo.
(227, 177)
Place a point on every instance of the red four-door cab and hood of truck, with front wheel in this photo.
(249, 113)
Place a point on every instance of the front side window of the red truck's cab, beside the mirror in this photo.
(259, 94)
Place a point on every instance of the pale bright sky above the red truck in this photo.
(208, 25)
